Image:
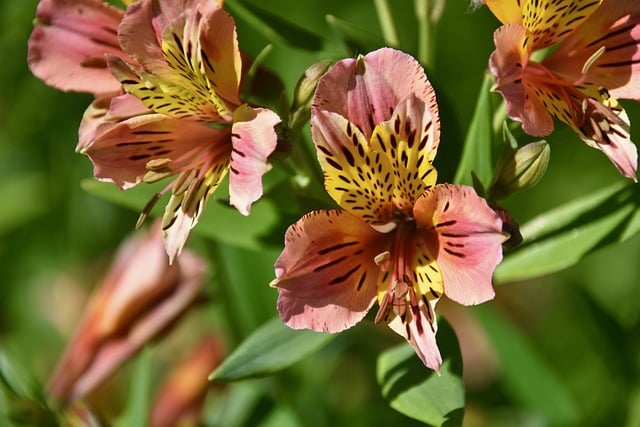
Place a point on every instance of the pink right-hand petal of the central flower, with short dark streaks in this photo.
(466, 234)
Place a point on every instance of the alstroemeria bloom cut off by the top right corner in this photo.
(596, 60)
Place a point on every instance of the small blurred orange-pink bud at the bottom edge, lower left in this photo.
(182, 395)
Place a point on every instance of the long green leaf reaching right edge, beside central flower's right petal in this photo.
(563, 236)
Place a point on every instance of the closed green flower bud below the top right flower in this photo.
(519, 169)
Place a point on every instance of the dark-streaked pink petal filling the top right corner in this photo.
(616, 27)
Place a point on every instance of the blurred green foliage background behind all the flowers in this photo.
(562, 349)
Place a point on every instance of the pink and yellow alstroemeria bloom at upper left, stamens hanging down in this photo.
(182, 115)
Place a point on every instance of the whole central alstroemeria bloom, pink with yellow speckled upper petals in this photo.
(400, 238)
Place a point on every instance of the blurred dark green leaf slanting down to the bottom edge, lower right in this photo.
(525, 375)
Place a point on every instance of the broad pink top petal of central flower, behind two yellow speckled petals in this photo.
(366, 90)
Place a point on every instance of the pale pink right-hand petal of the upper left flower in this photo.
(254, 139)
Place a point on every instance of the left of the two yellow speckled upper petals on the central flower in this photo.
(358, 179)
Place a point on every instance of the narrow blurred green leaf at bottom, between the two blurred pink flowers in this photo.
(137, 410)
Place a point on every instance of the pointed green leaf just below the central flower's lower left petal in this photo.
(269, 349)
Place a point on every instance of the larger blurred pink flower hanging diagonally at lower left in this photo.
(140, 297)
